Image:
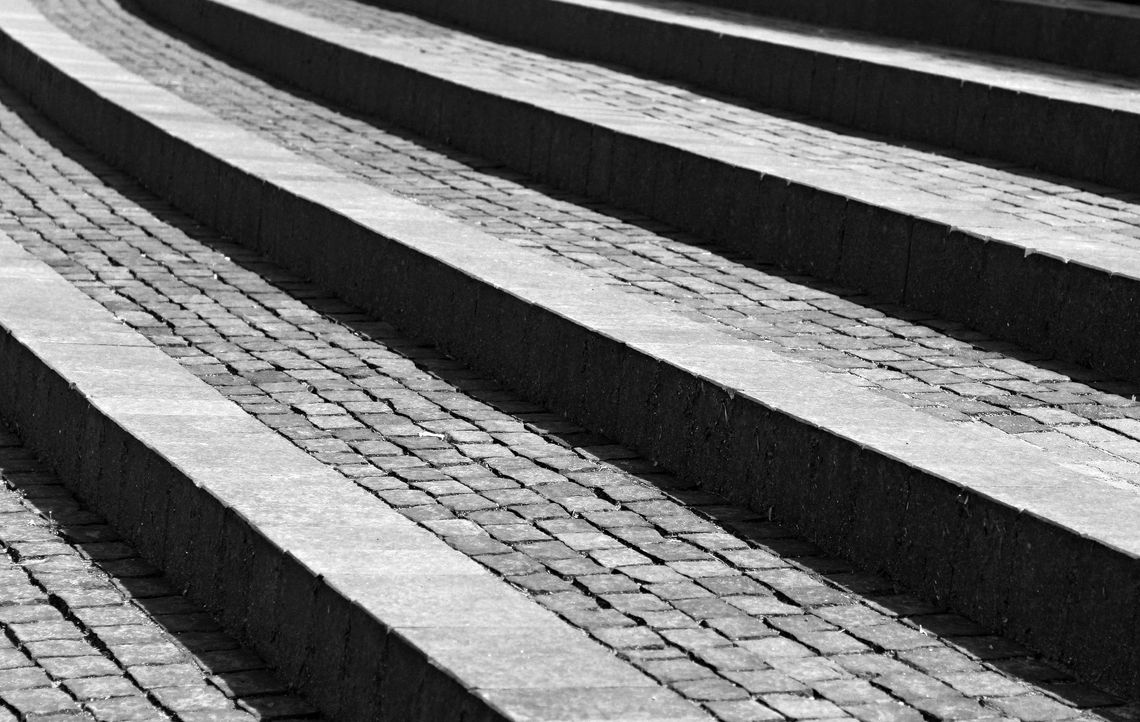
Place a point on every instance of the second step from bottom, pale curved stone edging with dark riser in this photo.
(984, 525)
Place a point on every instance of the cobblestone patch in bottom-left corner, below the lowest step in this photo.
(89, 631)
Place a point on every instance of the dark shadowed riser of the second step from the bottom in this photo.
(984, 558)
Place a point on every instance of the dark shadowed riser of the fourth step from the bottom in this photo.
(897, 102)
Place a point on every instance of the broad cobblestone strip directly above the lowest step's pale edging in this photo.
(718, 604)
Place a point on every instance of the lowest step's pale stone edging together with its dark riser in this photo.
(361, 609)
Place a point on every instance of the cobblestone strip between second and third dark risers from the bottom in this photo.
(1084, 420)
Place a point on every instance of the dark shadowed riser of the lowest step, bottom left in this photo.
(343, 659)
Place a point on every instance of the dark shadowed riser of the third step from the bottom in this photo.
(1060, 309)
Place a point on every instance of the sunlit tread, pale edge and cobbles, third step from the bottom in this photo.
(1043, 214)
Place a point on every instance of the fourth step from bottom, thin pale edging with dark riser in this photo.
(1057, 120)
